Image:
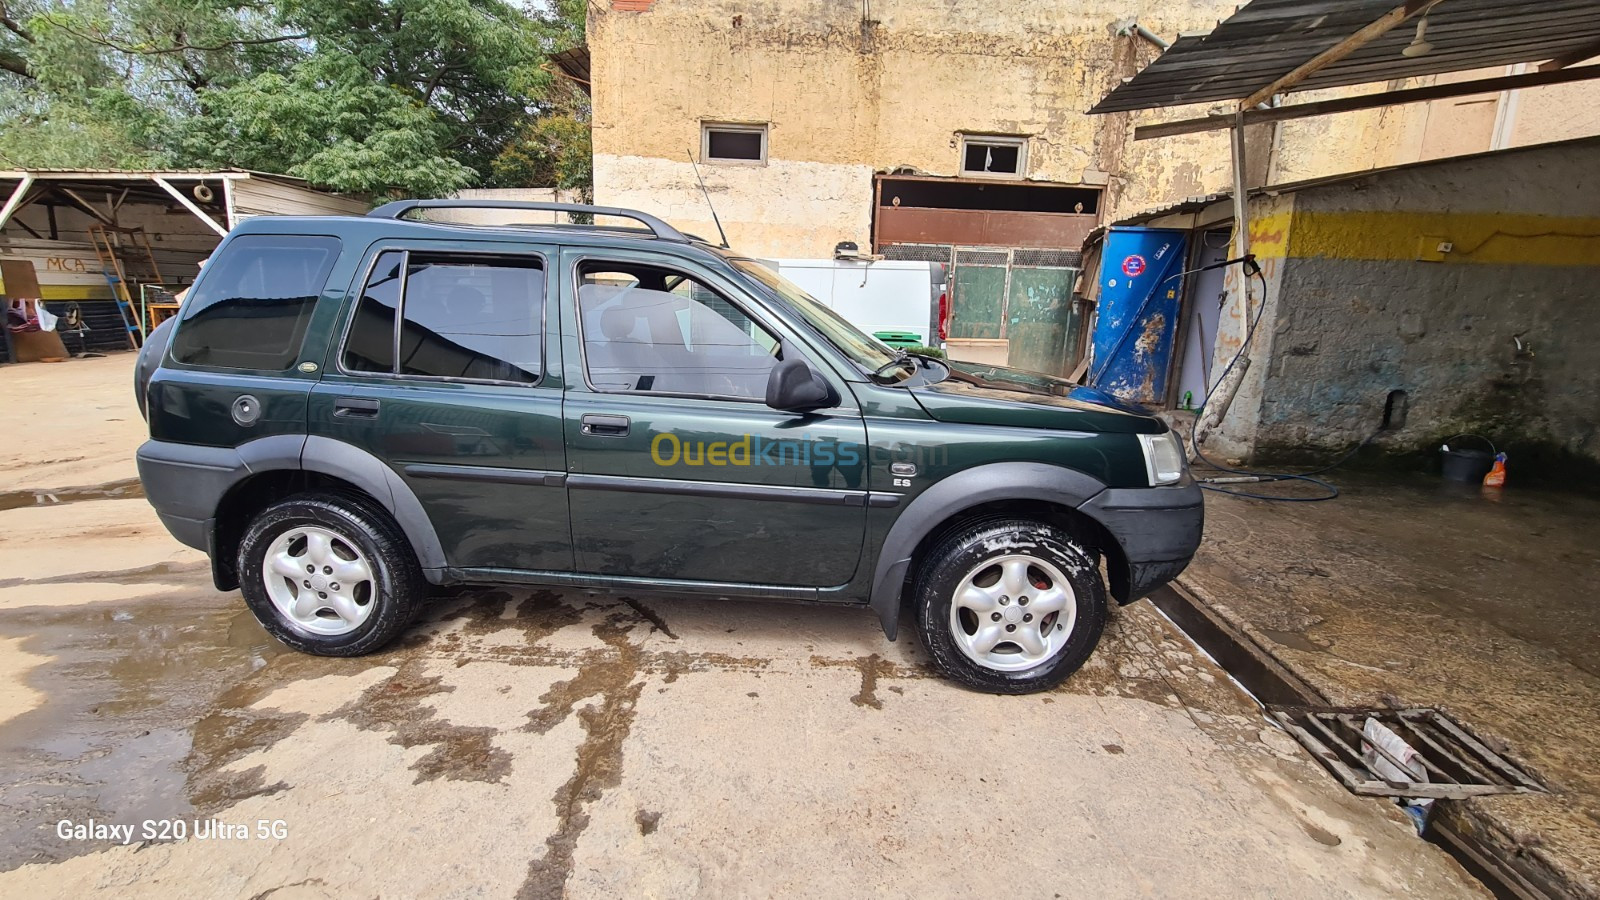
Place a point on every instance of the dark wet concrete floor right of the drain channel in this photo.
(1426, 593)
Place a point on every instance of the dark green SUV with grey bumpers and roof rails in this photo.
(351, 411)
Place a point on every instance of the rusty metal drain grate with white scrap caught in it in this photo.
(1446, 761)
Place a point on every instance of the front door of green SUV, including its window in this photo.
(678, 467)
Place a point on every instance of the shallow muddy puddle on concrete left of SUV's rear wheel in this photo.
(124, 688)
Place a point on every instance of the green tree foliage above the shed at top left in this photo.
(385, 97)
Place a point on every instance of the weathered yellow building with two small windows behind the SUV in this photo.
(902, 129)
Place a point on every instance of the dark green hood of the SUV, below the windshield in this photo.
(994, 395)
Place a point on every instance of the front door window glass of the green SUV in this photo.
(657, 331)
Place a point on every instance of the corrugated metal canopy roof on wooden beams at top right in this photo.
(1268, 39)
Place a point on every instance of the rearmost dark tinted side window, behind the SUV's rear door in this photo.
(255, 302)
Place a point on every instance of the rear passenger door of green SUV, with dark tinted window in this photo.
(446, 376)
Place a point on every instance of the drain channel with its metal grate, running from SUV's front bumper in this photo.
(1457, 777)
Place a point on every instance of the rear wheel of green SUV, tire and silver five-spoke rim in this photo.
(330, 537)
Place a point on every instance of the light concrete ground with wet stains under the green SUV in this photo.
(540, 745)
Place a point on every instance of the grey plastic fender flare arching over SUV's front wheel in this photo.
(964, 491)
